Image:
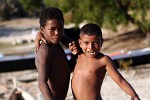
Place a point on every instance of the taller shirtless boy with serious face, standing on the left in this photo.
(50, 60)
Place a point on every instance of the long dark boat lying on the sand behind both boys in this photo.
(26, 62)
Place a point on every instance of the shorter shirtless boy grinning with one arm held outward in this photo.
(92, 65)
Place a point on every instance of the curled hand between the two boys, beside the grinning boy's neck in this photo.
(74, 47)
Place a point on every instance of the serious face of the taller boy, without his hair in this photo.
(53, 30)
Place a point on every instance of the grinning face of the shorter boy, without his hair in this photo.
(90, 45)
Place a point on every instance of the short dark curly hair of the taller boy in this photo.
(50, 13)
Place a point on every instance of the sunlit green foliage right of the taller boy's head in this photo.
(107, 13)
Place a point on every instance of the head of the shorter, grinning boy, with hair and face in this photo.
(90, 39)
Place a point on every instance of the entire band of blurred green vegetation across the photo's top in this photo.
(108, 13)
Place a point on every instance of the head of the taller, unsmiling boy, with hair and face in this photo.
(52, 24)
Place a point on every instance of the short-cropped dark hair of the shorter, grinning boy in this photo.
(91, 29)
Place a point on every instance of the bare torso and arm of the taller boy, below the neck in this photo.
(52, 72)
